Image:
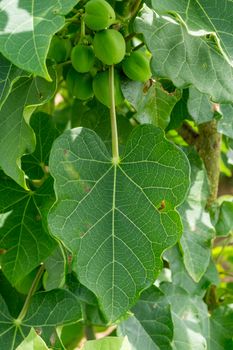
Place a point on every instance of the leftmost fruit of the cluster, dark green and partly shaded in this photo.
(59, 49)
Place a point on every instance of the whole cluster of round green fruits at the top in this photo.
(108, 46)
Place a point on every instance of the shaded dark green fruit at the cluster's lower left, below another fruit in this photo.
(79, 84)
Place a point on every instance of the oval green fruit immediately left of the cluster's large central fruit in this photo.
(82, 58)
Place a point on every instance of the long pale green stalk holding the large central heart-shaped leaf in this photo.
(115, 149)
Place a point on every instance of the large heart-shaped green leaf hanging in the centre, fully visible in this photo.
(94, 216)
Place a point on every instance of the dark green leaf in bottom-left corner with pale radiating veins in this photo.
(47, 309)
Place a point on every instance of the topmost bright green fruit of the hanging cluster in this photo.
(99, 14)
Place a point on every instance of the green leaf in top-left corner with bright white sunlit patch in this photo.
(27, 30)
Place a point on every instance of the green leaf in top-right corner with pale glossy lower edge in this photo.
(202, 17)
